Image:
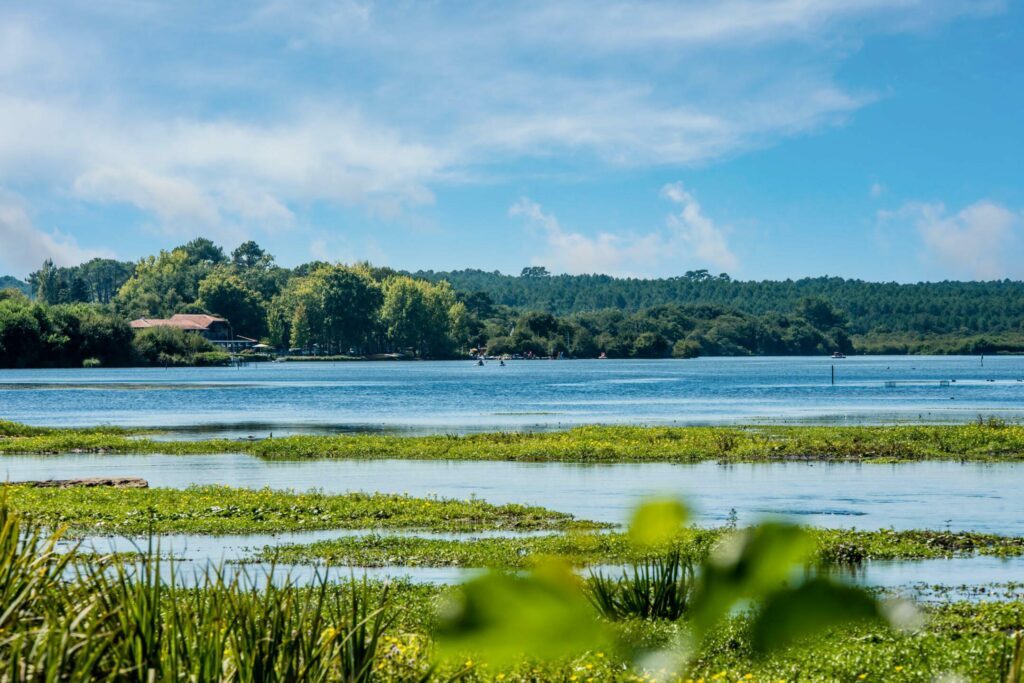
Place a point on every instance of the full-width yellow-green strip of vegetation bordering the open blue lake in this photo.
(977, 442)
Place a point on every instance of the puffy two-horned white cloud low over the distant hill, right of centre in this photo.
(691, 238)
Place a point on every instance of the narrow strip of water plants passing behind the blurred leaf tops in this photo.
(832, 547)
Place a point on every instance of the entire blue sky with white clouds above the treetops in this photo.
(880, 140)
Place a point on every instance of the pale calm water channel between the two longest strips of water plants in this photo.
(978, 497)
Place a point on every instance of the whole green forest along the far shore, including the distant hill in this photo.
(71, 317)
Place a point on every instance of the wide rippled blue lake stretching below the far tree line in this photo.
(459, 397)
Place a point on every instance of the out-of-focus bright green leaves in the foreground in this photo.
(764, 570)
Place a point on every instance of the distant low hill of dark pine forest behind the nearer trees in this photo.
(923, 309)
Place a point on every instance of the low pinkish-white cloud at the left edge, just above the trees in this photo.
(24, 248)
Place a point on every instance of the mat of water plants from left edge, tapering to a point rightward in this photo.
(217, 509)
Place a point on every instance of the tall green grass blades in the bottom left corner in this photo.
(63, 621)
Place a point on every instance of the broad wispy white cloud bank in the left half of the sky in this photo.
(194, 175)
